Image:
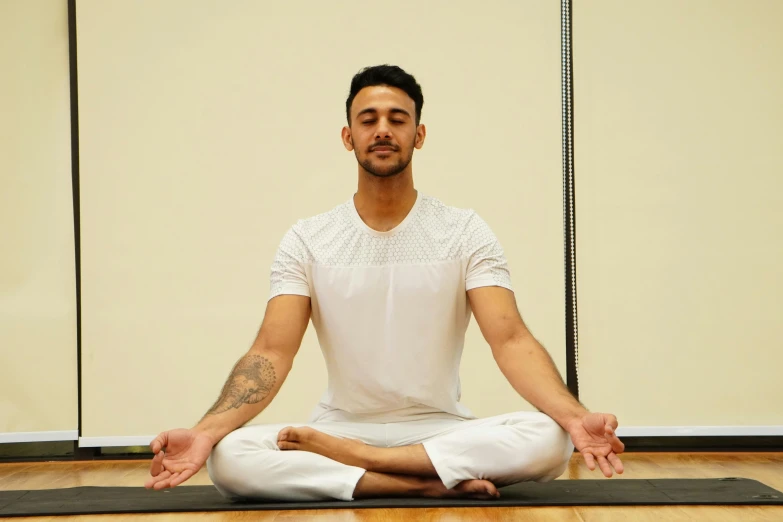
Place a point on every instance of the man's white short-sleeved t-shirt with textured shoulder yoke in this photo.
(390, 308)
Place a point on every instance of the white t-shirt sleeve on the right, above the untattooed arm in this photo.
(487, 264)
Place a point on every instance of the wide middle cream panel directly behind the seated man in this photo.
(193, 119)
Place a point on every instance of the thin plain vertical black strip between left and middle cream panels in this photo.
(75, 182)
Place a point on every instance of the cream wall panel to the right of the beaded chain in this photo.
(680, 210)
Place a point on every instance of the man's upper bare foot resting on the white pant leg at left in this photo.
(346, 451)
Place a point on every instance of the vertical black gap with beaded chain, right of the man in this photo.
(569, 217)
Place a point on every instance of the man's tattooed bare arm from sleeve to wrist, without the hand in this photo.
(258, 375)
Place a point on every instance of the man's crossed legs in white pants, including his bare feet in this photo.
(452, 459)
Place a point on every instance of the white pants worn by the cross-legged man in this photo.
(505, 449)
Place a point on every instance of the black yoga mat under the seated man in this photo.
(619, 492)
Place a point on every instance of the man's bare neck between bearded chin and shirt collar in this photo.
(383, 203)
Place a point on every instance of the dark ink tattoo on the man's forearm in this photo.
(250, 382)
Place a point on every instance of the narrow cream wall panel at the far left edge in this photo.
(38, 372)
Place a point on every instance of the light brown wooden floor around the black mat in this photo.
(765, 467)
